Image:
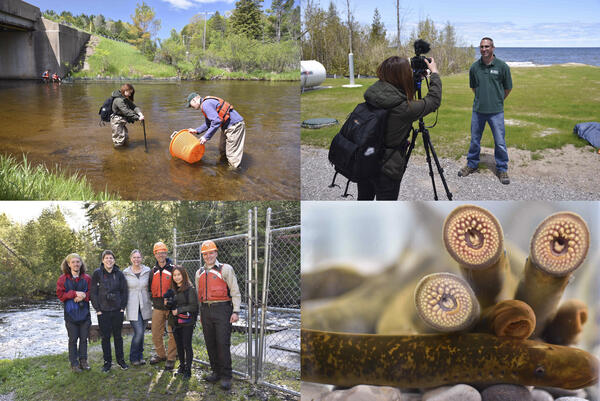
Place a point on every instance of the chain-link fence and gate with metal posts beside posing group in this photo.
(265, 346)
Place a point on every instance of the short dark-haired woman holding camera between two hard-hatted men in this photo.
(183, 304)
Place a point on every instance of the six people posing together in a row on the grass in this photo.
(163, 294)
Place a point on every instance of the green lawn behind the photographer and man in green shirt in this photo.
(540, 112)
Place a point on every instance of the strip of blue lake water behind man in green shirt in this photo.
(549, 55)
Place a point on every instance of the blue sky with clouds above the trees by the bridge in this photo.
(172, 13)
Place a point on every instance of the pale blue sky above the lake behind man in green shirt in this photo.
(511, 23)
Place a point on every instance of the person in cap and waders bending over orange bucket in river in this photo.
(220, 114)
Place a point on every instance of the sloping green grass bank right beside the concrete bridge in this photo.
(116, 59)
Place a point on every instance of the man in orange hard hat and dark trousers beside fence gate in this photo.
(220, 299)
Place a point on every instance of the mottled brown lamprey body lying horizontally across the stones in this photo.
(345, 359)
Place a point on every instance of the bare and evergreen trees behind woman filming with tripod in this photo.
(326, 39)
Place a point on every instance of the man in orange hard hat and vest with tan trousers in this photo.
(159, 283)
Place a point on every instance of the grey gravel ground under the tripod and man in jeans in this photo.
(566, 174)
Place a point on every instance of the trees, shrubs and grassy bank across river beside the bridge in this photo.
(250, 43)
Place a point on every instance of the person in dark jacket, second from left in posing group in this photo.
(109, 298)
